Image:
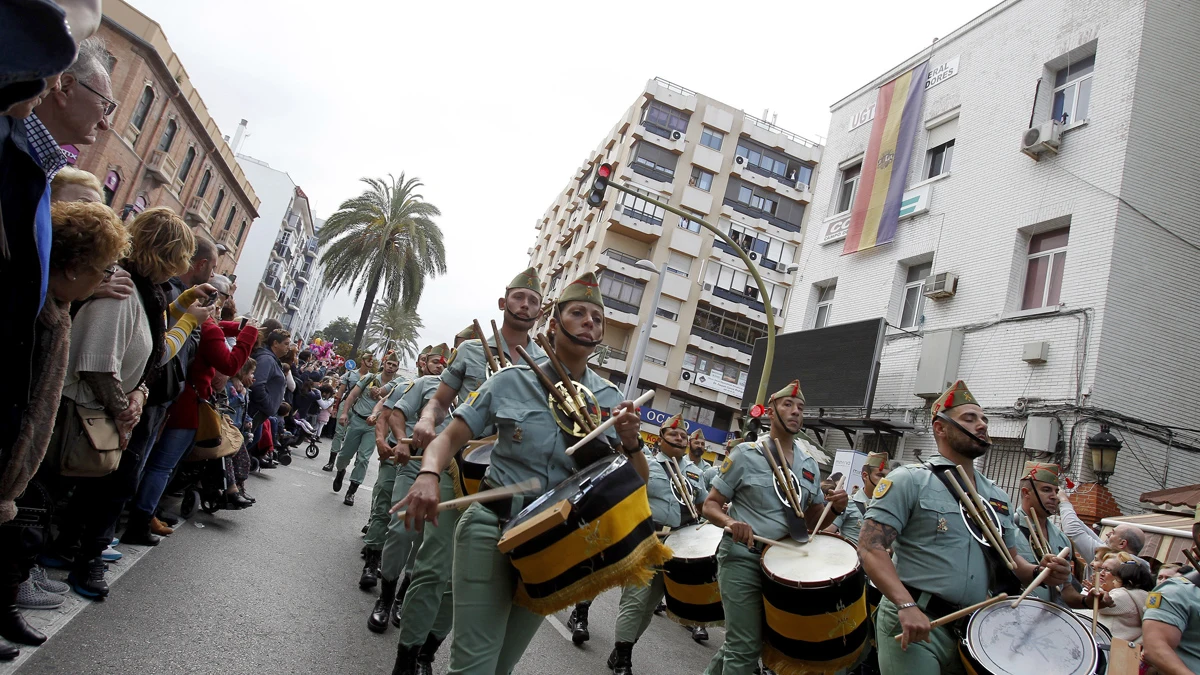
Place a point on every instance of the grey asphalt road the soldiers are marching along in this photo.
(274, 589)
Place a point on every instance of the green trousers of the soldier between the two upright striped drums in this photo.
(740, 577)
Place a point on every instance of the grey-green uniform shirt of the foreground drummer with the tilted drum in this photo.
(530, 444)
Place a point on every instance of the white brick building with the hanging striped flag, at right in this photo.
(1067, 271)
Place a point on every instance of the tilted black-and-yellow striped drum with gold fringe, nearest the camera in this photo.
(604, 540)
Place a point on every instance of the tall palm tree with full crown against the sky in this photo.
(383, 238)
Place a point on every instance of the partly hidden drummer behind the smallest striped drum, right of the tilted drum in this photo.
(669, 510)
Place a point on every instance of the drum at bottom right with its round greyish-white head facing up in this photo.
(1036, 638)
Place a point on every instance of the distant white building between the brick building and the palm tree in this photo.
(278, 276)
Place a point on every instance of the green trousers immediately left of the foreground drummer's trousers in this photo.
(429, 604)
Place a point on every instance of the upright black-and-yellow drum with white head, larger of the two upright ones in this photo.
(814, 598)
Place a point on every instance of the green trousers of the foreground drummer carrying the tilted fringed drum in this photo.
(490, 632)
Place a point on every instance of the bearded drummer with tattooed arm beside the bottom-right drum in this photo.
(939, 566)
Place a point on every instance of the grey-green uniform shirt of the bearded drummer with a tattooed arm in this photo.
(935, 552)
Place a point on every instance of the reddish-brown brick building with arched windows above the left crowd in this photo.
(164, 148)
